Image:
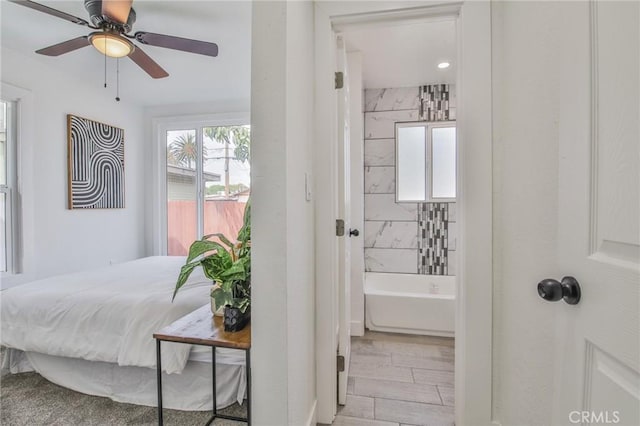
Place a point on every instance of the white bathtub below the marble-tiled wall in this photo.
(410, 303)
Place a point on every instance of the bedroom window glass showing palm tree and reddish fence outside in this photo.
(207, 182)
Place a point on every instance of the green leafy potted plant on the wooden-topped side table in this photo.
(229, 266)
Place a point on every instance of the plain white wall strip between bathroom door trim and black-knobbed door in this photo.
(525, 119)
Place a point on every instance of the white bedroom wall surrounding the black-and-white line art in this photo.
(69, 240)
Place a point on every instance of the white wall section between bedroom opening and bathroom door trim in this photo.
(283, 346)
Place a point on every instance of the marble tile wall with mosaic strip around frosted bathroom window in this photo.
(393, 238)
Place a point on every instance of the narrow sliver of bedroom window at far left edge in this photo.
(7, 184)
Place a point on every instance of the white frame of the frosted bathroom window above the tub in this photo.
(428, 172)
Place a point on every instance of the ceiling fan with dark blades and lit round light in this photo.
(113, 21)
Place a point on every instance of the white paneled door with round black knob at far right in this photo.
(597, 356)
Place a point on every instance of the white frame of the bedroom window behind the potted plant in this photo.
(159, 168)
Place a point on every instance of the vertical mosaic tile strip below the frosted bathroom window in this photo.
(433, 226)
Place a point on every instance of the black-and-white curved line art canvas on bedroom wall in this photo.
(96, 164)
